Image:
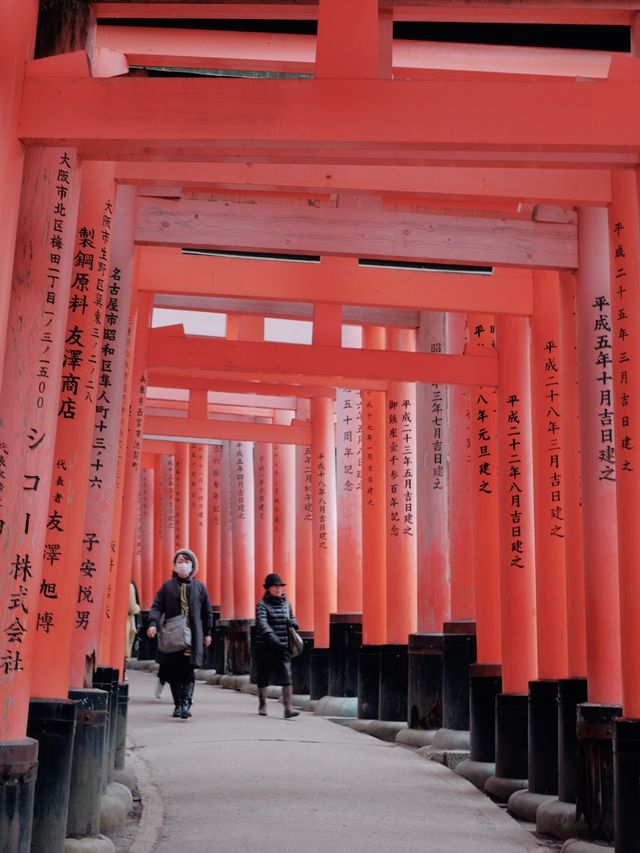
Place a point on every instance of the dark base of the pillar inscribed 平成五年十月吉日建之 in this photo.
(594, 795)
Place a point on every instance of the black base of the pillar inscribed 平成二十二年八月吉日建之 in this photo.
(512, 735)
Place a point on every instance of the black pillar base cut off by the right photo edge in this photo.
(626, 771)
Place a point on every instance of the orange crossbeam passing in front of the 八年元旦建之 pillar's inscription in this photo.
(167, 350)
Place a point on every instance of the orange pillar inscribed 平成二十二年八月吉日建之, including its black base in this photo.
(517, 546)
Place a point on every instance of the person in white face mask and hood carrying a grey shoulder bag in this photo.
(183, 595)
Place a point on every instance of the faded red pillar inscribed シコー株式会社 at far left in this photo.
(28, 406)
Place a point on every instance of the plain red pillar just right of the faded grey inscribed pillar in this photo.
(461, 528)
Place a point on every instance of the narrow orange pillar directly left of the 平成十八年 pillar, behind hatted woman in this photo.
(304, 539)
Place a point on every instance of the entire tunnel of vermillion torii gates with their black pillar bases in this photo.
(492, 405)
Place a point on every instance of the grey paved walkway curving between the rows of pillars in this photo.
(230, 781)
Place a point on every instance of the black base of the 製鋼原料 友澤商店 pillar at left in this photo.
(52, 723)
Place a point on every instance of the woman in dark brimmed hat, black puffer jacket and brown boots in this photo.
(273, 617)
